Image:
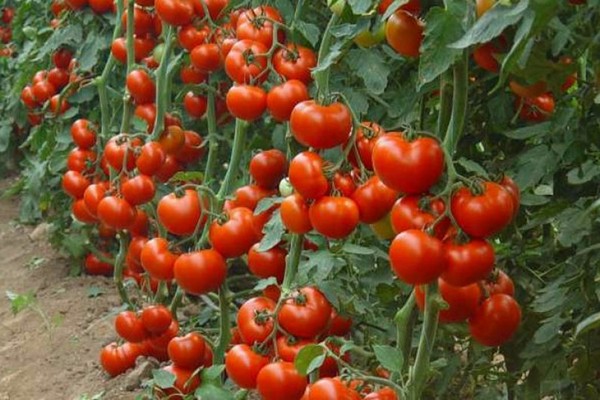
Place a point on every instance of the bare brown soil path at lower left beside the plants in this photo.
(50, 349)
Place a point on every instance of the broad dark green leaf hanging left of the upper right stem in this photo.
(441, 29)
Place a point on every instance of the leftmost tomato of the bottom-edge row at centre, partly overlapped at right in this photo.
(243, 365)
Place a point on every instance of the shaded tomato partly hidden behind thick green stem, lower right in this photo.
(462, 301)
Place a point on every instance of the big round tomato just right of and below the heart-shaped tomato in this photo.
(485, 214)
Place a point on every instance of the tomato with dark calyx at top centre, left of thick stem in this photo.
(295, 62)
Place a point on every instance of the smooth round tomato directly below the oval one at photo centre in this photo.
(334, 217)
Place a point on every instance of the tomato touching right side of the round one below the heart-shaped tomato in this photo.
(468, 263)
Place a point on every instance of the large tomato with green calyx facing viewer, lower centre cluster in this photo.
(306, 313)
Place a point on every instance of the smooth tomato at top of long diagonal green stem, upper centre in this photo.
(246, 102)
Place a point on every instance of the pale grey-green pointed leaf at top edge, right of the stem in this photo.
(492, 24)
